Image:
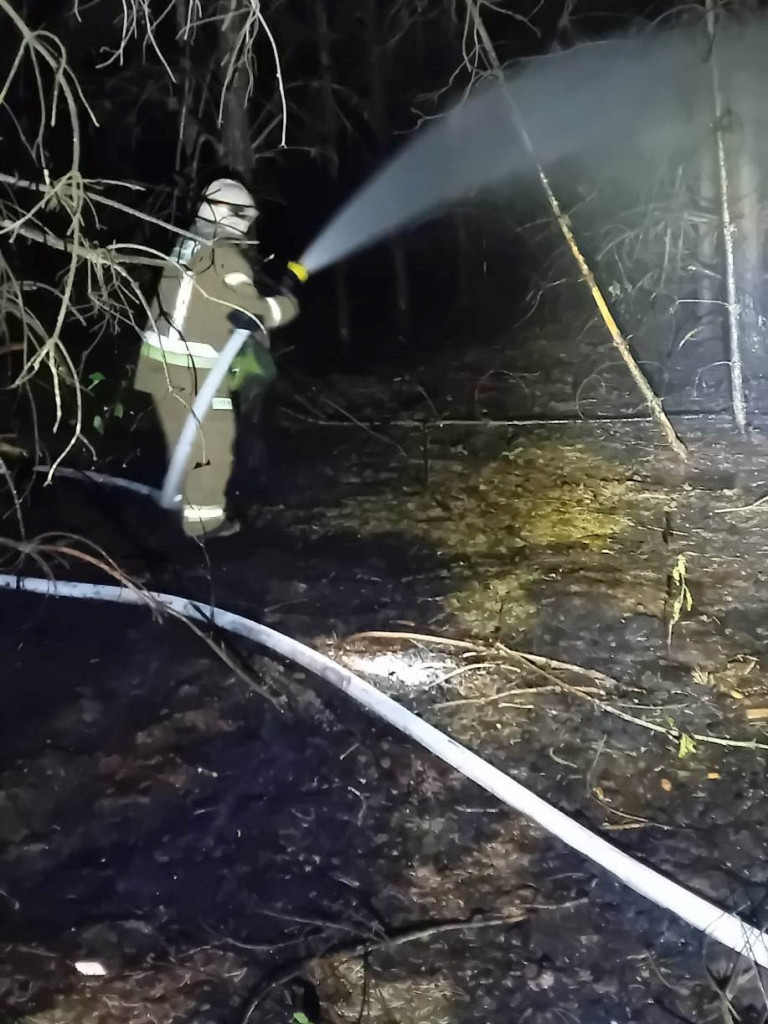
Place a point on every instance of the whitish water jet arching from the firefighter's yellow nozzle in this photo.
(627, 102)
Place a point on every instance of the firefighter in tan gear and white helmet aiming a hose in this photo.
(207, 279)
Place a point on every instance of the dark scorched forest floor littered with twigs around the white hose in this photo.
(219, 850)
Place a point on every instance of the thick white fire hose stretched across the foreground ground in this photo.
(717, 924)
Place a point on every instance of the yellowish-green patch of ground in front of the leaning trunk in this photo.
(501, 523)
